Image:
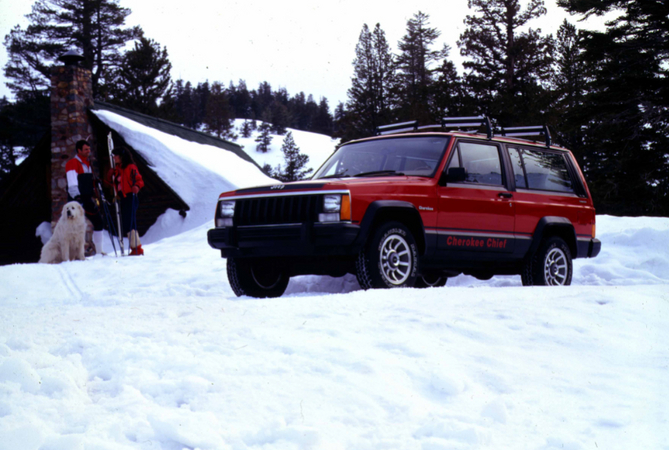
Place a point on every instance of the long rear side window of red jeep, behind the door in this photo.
(543, 170)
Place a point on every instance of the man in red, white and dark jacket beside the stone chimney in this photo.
(80, 188)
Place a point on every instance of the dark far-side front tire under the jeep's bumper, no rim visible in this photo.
(256, 278)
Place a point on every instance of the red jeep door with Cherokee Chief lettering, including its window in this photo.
(476, 215)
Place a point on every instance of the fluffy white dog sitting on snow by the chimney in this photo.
(67, 242)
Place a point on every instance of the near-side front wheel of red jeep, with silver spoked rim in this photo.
(389, 260)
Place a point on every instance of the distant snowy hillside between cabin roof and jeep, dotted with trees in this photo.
(318, 147)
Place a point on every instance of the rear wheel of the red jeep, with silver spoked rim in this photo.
(551, 265)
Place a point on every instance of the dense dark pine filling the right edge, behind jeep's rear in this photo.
(626, 124)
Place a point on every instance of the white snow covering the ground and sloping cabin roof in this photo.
(156, 352)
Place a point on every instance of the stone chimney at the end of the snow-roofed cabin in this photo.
(71, 96)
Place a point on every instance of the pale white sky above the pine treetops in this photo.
(300, 45)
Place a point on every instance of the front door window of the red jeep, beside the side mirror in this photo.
(481, 162)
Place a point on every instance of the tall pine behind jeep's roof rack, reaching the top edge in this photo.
(508, 69)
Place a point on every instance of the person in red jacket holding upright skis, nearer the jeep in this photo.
(128, 182)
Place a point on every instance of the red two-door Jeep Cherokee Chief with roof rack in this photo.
(412, 207)
